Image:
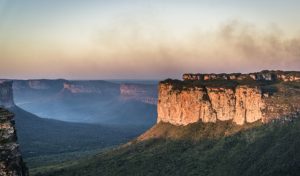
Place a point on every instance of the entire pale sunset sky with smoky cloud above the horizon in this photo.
(146, 39)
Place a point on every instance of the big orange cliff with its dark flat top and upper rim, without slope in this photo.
(212, 97)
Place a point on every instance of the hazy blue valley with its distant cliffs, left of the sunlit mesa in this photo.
(74, 124)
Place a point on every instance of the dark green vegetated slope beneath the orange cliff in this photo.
(198, 149)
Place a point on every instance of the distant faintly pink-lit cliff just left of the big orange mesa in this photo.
(139, 92)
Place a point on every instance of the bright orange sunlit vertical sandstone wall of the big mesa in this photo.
(242, 104)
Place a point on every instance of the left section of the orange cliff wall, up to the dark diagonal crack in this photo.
(182, 108)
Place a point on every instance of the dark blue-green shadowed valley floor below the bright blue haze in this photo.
(46, 141)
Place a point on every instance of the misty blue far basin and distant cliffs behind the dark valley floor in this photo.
(89, 101)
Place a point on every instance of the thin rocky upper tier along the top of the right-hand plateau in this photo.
(265, 75)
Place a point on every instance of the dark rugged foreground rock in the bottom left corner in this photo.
(11, 163)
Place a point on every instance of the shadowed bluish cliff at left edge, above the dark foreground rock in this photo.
(6, 94)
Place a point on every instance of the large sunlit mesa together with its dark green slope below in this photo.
(209, 127)
